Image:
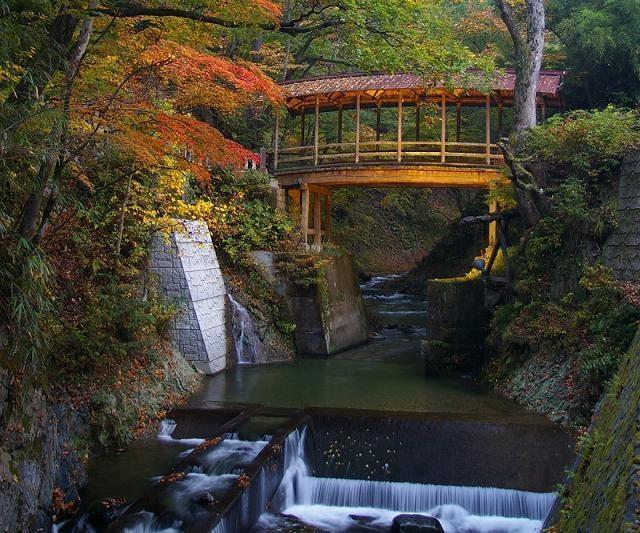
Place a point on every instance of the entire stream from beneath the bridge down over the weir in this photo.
(268, 448)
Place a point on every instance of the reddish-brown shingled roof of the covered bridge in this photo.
(342, 88)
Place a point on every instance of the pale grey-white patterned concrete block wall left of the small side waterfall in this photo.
(188, 271)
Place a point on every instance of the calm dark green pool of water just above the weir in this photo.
(357, 384)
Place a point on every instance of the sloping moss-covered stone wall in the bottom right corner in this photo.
(603, 494)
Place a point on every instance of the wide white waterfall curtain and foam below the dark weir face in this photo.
(335, 504)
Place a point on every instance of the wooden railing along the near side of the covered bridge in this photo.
(477, 154)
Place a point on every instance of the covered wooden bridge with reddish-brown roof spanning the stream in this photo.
(389, 130)
